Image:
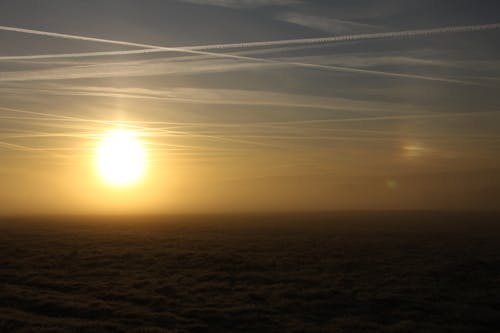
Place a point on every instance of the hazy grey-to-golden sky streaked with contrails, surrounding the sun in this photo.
(251, 105)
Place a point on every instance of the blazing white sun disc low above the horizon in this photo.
(120, 158)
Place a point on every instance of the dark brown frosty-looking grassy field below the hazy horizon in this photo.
(346, 272)
